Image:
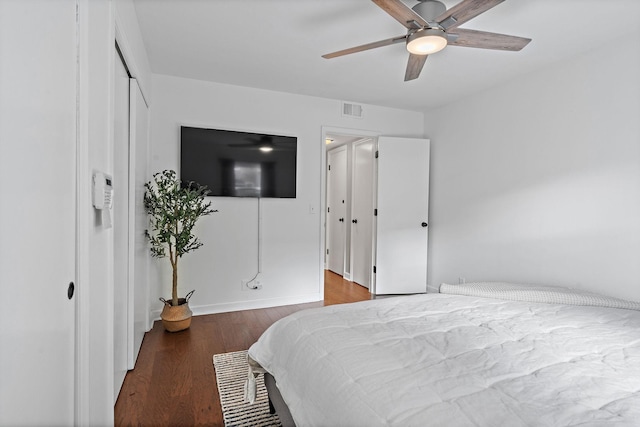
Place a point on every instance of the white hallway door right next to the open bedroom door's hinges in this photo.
(362, 205)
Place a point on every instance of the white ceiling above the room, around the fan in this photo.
(277, 45)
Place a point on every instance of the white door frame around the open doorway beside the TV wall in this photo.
(328, 130)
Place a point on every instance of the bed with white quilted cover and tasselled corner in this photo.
(481, 354)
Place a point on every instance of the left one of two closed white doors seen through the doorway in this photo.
(336, 209)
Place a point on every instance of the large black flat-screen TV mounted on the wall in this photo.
(239, 164)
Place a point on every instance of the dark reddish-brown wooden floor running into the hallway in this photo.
(174, 384)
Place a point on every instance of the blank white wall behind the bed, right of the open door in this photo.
(538, 180)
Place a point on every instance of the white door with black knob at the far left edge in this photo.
(37, 212)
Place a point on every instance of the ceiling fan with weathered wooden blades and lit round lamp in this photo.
(431, 27)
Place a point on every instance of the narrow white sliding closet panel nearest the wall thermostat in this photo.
(121, 272)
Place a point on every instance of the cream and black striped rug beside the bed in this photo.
(231, 373)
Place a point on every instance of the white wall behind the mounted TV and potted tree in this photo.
(292, 267)
